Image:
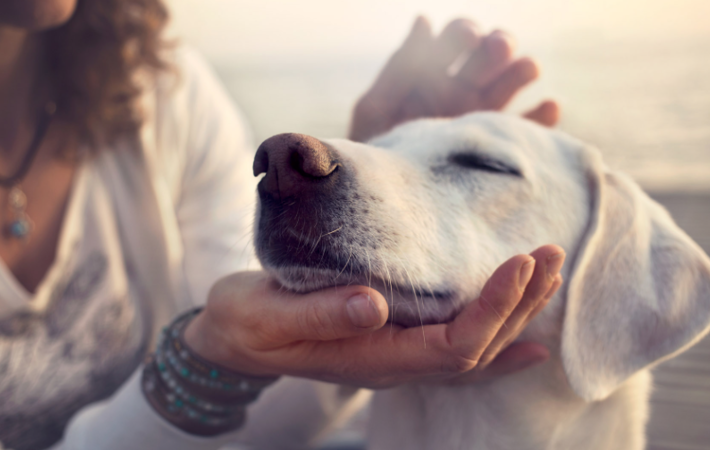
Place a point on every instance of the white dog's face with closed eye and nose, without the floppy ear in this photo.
(423, 214)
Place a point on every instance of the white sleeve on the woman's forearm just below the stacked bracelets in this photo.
(291, 414)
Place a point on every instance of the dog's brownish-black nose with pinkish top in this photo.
(293, 163)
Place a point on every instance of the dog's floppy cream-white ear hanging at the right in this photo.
(639, 291)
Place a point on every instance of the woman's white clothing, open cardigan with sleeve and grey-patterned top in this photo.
(150, 226)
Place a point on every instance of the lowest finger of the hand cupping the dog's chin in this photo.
(516, 357)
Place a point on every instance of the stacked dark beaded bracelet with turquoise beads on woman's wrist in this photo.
(192, 393)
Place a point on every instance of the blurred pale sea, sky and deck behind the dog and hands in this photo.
(632, 76)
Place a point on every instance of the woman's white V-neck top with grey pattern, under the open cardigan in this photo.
(81, 335)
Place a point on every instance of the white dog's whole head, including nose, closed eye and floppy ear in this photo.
(425, 213)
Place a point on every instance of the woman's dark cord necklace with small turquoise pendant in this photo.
(21, 226)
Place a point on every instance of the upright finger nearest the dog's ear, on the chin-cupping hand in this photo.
(548, 262)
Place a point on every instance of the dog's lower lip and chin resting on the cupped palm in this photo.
(409, 306)
